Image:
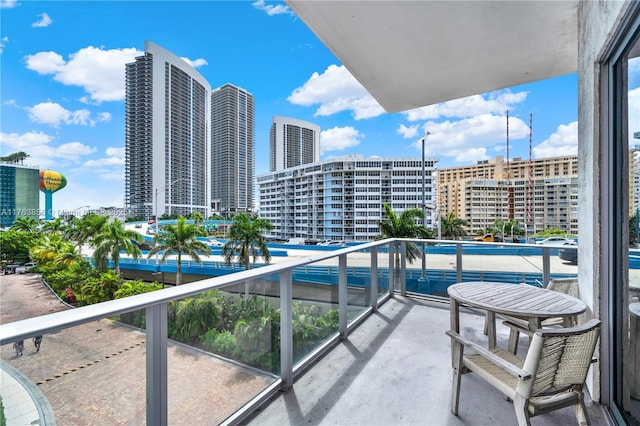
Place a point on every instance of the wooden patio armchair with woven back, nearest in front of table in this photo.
(551, 376)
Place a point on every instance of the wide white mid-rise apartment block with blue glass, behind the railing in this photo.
(341, 199)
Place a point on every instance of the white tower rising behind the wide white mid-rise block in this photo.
(292, 143)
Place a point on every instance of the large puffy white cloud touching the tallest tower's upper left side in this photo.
(99, 72)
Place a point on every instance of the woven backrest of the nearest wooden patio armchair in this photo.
(559, 359)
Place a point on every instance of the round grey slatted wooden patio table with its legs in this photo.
(517, 300)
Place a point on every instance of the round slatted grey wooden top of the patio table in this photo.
(516, 299)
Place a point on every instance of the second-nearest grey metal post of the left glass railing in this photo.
(286, 329)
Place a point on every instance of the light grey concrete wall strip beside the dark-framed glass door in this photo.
(597, 23)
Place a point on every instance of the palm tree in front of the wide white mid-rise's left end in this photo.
(245, 240)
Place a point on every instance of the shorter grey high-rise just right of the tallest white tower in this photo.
(232, 149)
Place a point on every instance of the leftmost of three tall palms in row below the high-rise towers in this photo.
(112, 238)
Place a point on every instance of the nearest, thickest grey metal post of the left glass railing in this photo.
(156, 347)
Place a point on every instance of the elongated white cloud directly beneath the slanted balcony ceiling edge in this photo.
(492, 103)
